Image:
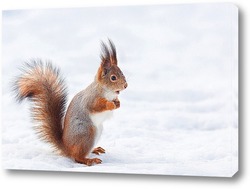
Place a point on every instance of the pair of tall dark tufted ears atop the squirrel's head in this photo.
(108, 55)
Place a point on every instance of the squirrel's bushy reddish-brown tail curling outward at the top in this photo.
(42, 84)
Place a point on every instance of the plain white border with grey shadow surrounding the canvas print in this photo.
(27, 179)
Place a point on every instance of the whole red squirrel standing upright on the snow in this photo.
(74, 132)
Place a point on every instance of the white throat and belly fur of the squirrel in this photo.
(99, 118)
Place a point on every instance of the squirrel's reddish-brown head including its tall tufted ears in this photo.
(109, 74)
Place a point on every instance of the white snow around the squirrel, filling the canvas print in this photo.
(179, 115)
